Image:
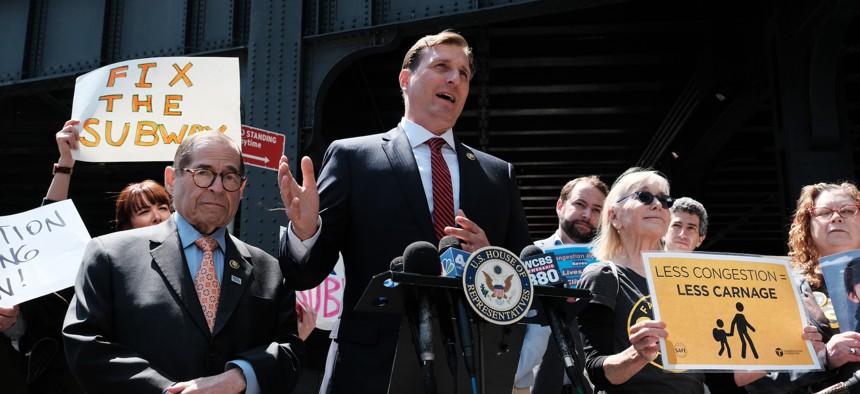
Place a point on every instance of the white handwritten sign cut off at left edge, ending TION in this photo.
(40, 251)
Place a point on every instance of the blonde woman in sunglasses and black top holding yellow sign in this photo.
(620, 337)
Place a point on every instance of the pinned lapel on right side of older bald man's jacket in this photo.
(234, 282)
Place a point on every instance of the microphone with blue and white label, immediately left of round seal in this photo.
(449, 248)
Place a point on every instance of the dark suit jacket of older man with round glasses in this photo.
(136, 325)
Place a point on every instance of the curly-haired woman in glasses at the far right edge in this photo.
(825, 223)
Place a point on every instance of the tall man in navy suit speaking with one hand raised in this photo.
(375, 196)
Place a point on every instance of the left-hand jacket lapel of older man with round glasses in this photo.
(176, 275)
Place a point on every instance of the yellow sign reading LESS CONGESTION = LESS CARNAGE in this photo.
(728, 312)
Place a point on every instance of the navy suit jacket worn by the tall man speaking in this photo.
(372, 205)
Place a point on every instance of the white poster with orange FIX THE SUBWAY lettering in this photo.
(140, 110)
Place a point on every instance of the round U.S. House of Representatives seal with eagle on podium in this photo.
(497, 285)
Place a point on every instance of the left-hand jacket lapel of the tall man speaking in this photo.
(399, 152)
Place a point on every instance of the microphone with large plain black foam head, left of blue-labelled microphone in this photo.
(420, 258)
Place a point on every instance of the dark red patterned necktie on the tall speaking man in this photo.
(443, 195)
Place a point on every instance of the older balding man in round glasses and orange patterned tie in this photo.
(154, 312)
